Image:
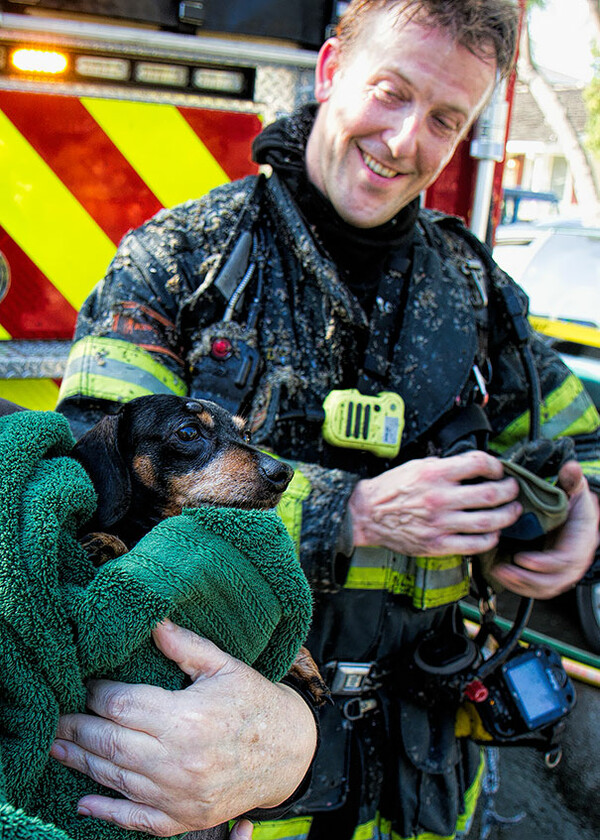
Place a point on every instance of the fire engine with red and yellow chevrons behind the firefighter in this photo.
(110, 111)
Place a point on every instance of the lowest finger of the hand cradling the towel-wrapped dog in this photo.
(133, 816)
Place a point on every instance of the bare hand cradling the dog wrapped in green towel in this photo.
(188, 760)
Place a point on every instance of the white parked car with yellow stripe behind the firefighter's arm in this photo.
(558, 265)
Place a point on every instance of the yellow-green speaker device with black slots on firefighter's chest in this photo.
(359, 421)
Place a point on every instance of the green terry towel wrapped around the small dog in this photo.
(230, 575)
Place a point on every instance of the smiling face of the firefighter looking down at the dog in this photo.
(393, 109)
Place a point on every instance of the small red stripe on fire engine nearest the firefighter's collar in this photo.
(227, 136)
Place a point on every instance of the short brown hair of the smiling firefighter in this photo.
(487, 28)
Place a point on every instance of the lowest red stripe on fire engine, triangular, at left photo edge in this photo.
(33, 307)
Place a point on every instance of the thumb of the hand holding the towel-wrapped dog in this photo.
(197, 657)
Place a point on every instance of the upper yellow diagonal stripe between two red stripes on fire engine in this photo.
(161, 147)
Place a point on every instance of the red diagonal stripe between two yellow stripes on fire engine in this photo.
(64, 134)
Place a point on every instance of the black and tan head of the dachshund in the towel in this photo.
(161, 453)
